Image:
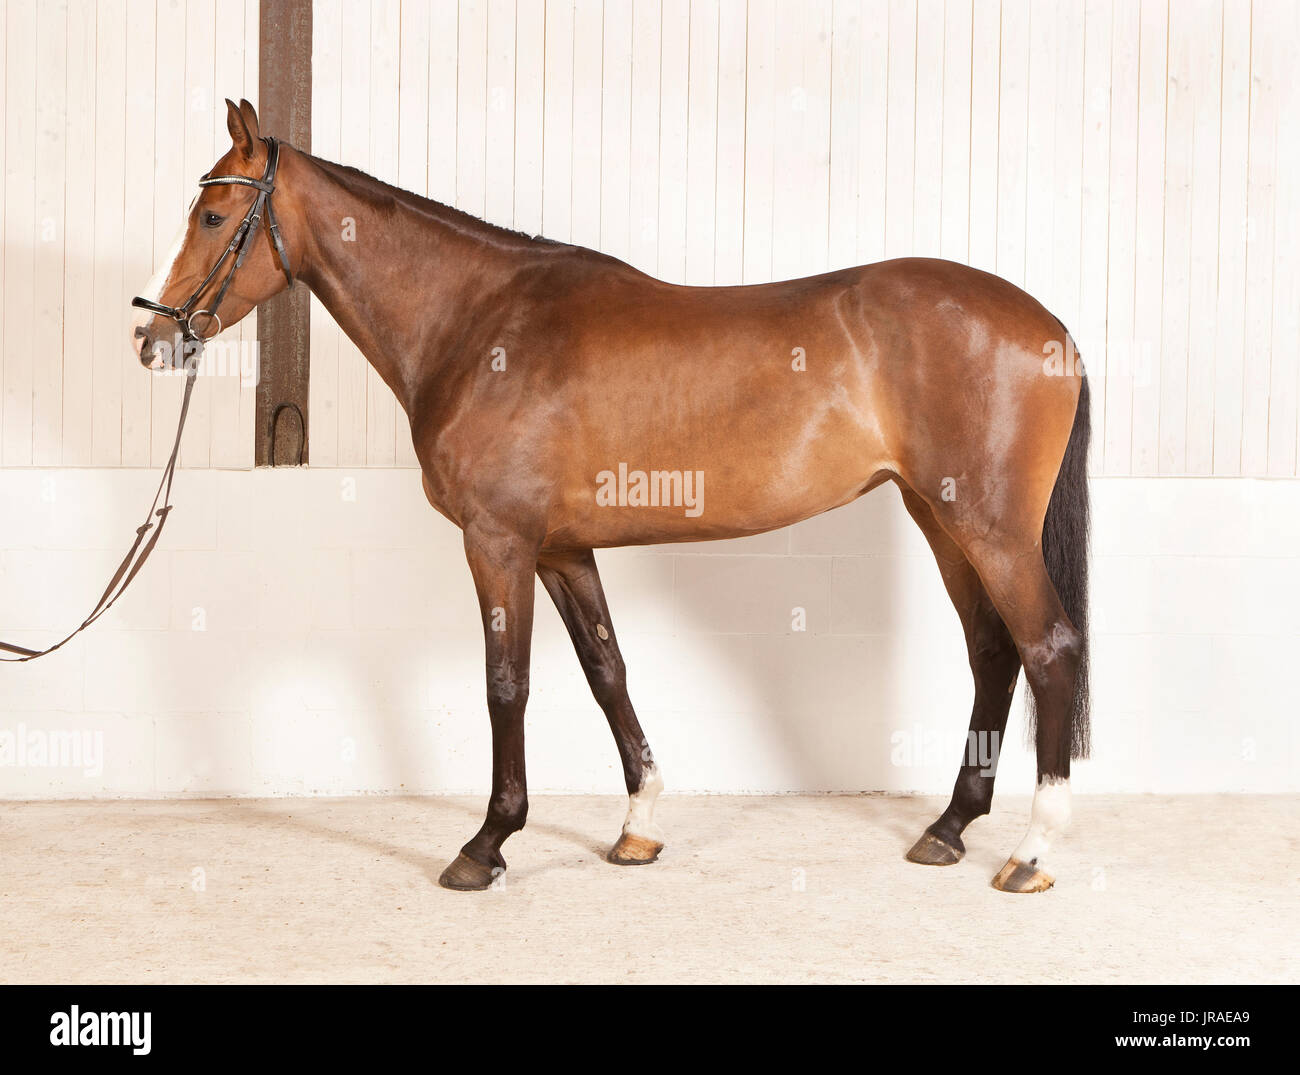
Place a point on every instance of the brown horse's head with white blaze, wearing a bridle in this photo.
(228, 259)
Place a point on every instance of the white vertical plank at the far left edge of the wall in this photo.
(20, 233)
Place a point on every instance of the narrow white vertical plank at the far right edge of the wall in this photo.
(1285, 392)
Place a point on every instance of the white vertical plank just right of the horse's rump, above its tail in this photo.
(1091, 335)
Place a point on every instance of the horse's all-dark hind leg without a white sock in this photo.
(995, 666)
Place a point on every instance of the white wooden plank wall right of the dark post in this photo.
(1129, 163)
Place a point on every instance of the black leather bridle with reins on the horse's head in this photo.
(193, 344)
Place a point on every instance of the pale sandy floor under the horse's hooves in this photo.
(756, 890)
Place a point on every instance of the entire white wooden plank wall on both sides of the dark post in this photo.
(1132, 163)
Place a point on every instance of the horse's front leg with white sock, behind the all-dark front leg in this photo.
(574, 584)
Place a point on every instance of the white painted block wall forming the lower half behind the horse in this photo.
(341, 648)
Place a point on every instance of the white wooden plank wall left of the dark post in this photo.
(111, 114)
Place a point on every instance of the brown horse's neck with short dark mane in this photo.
(396, 271)
